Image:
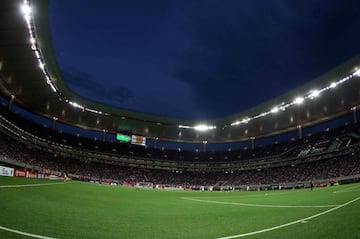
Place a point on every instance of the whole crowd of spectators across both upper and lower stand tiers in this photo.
(310, 147)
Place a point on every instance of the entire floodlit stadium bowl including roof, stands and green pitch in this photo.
(286, 179)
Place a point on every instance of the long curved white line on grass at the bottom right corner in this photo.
(290, 223)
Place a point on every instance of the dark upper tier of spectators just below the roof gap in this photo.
(291, 148)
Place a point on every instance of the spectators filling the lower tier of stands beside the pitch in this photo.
(348, 164)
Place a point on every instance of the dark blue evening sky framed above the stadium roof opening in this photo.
(199, 59)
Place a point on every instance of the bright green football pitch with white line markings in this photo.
(31, 208)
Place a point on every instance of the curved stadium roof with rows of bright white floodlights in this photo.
(29, 72)
